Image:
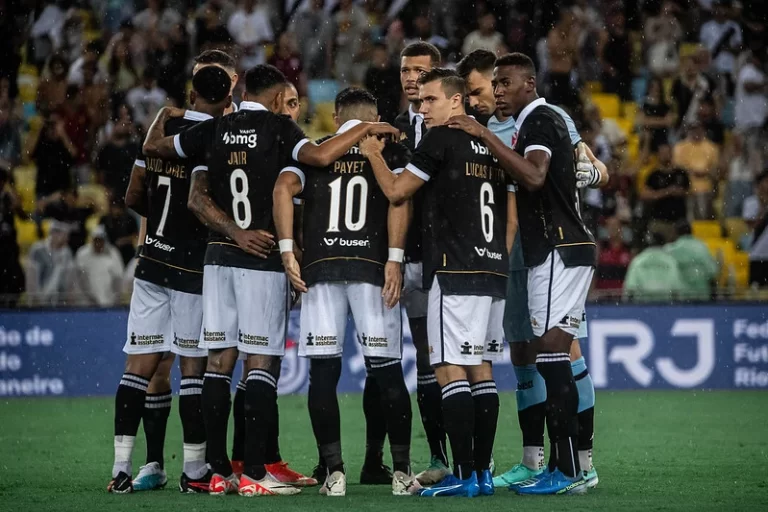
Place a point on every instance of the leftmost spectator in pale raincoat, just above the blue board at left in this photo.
(50, 268)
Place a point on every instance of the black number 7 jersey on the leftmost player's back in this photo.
(174, 248)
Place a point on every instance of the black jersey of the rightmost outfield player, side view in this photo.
(550, 217)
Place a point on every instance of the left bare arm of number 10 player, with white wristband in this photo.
(287, 187)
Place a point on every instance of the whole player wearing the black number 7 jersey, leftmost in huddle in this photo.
(166, 307)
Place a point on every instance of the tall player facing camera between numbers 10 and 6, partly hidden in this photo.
(415, 60)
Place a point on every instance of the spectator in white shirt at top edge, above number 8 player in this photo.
(250, 28)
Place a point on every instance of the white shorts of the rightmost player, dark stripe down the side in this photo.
(557, 294)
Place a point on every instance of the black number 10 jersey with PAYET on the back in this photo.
(345, 219)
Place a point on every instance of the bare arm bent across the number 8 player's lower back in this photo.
(256, 242)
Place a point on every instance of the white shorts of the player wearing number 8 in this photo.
(247, 309)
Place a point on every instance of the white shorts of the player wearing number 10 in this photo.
(324, 312)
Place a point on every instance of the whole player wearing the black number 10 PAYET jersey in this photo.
(353, 249)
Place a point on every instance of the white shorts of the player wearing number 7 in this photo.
(163, 320)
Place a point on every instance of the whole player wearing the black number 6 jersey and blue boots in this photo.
(466, 238)
